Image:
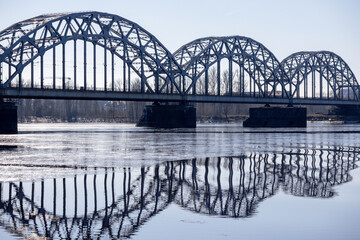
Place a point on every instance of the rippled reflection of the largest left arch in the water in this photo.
(110, 213)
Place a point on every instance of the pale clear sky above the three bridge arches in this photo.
(283, 26)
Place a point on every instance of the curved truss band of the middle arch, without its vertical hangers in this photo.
(198, 56)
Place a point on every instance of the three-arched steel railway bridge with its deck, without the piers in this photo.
(94, 55)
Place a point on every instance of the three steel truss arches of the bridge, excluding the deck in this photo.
(162, 72)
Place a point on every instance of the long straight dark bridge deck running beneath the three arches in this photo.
(147, 97)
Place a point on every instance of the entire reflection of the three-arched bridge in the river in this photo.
(115, 203)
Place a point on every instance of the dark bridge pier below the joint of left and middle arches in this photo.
(168, 116)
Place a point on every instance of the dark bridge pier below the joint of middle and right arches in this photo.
(276, 117)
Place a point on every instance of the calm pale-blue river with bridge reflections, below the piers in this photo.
(218, 181)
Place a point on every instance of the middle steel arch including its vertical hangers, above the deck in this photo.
(252, 58)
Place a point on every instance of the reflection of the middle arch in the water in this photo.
(226, 186)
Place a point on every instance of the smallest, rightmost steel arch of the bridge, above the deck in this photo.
(335, 80)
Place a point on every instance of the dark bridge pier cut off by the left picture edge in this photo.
(8, 118)
